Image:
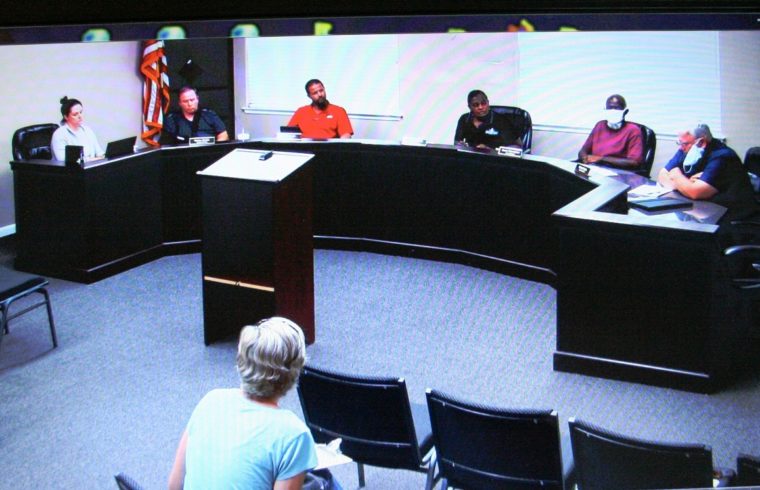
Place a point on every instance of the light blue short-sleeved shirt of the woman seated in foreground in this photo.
(235, 443)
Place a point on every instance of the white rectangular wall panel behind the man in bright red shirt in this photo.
(360, 73)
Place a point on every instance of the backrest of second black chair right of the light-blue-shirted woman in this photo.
(485, 447)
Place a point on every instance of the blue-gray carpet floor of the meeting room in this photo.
(131, 365)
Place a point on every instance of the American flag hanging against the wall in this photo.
(155, 90)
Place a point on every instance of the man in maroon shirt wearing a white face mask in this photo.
(614, 141)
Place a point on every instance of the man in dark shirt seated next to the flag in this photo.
(192, 121)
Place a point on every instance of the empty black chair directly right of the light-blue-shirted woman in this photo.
(373, 416)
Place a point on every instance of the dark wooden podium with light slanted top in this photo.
(258, 253)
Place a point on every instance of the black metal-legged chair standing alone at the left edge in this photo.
(15, 285)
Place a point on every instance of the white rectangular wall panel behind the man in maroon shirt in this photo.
(670, 80)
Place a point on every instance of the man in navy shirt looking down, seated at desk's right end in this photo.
(705, 168)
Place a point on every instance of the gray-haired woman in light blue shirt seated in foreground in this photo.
(240, 438)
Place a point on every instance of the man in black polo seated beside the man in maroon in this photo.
(482, 127)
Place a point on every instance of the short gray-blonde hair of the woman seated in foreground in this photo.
(270, 357)
